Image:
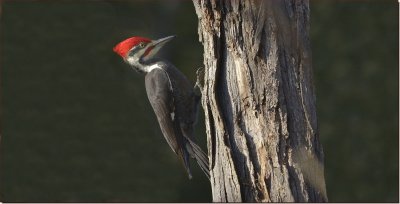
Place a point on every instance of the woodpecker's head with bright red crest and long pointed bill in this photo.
(136, 51)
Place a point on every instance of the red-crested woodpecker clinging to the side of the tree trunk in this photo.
(172, 97)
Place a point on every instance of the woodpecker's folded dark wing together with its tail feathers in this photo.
(178, 135)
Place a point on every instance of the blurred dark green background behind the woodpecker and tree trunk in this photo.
(77, 126)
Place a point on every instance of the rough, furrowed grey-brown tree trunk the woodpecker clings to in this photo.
(259, 101)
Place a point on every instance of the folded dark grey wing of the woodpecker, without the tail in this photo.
(159, 92)
